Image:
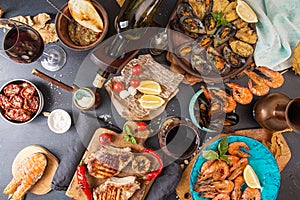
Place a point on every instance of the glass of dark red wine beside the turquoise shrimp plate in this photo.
(179, 138)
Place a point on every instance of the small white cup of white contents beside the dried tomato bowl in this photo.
(59, 121)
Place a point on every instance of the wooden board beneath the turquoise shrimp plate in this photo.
(262, 135)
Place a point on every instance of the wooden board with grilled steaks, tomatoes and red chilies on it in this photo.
(114, 167)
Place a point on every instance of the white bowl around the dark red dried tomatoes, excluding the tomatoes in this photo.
(41, 101)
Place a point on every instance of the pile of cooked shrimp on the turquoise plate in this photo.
(218, 180)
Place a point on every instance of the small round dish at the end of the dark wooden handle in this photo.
(84, 98)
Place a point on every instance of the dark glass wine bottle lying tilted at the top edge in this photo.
(134, 17)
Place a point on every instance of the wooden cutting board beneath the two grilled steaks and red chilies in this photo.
(75, 192)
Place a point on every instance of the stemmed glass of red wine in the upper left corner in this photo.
(23, 44)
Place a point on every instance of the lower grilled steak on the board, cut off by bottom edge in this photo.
(116, 188)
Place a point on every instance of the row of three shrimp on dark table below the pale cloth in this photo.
(257, 85)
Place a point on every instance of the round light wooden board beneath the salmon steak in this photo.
(43, 186)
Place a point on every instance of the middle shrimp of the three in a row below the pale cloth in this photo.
(261, 88)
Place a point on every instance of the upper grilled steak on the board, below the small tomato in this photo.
(108, 161)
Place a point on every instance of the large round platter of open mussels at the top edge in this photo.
(210, 40)
